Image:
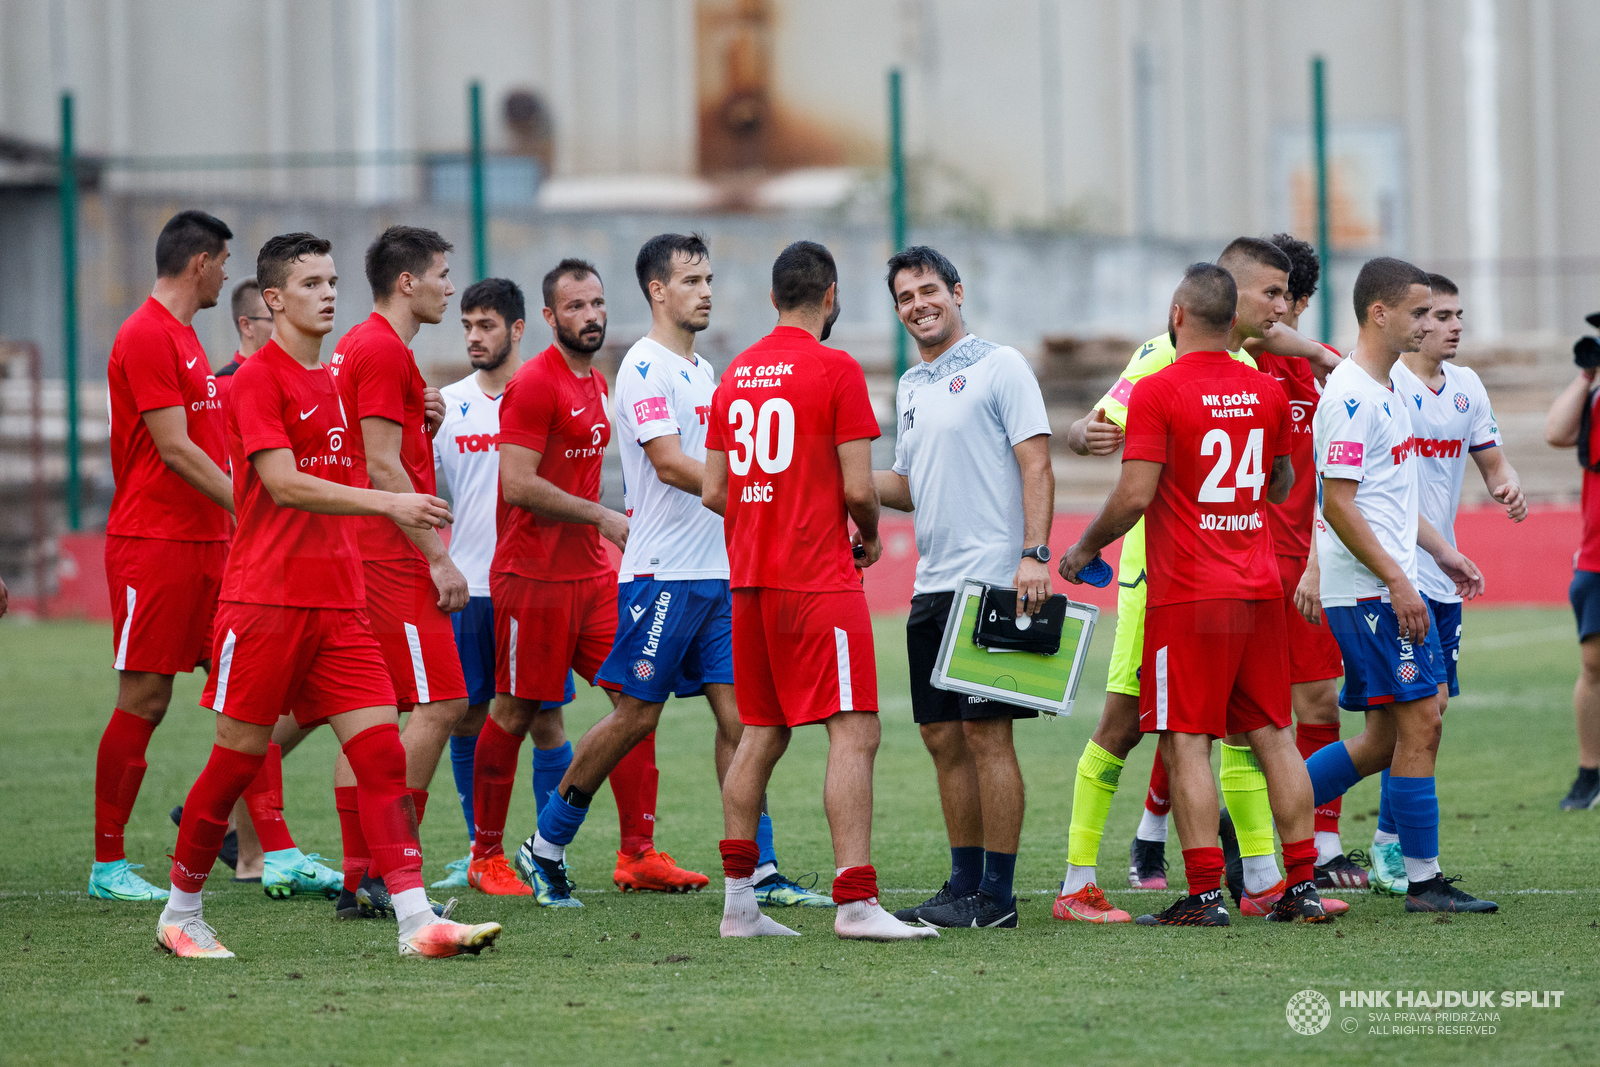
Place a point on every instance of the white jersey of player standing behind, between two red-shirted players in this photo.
(466, 455)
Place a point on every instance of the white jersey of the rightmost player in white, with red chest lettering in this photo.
(1449, 425)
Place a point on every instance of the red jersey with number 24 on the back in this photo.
(1217, 426)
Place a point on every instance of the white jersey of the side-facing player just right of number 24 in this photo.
(1362, 431)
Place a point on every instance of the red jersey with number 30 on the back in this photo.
(782, 412)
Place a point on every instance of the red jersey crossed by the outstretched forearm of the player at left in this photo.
(378, 378)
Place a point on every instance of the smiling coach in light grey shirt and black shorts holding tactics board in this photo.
(972, 460)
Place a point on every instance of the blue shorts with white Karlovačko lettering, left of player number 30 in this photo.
(671, 639)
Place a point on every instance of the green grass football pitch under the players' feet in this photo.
(646, 978)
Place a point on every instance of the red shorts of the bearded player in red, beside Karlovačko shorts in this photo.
(543, 629)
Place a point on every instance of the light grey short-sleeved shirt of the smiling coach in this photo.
(959, 420)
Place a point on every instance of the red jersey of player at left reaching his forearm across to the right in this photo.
(284, 556)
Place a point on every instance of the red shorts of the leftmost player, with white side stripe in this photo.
(162, 602)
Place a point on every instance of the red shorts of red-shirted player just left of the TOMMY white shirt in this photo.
(415, 636)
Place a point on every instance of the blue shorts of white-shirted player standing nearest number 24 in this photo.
(1380, 666)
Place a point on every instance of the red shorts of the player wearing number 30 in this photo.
(802, 658)
